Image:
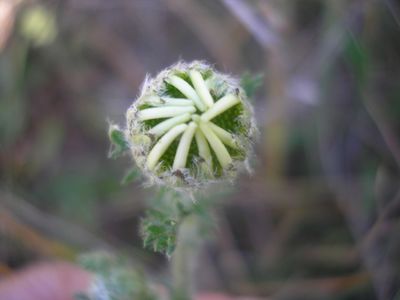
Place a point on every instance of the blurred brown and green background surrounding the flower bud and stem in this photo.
(319, 218)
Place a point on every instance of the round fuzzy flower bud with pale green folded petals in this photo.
(190, 126)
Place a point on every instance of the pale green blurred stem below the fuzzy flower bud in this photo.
(184, 258)
